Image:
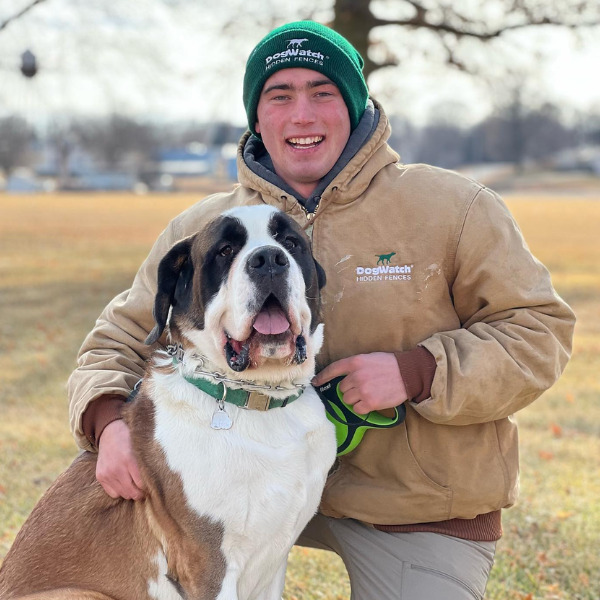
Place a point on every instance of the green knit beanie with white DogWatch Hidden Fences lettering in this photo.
(308, 45)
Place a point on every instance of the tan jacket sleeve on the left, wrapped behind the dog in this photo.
(113, 355)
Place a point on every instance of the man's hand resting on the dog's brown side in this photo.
(116, 469)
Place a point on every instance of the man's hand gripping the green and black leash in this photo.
(373, 381)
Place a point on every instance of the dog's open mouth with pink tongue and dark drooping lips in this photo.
(271, 336)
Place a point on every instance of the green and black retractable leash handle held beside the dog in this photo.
(349, 426)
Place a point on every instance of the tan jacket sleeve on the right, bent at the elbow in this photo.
(516, 332)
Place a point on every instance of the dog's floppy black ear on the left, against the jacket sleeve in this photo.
(169, 270)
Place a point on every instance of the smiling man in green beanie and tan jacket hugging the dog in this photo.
(433, 300)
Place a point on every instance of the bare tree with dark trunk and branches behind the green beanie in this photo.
(450, 23)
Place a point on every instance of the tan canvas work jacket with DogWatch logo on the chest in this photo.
(414, 255)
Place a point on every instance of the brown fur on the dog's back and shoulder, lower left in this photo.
(78, 537)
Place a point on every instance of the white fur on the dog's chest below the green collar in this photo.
(262, 479)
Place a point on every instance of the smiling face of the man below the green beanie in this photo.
(304, 124)
